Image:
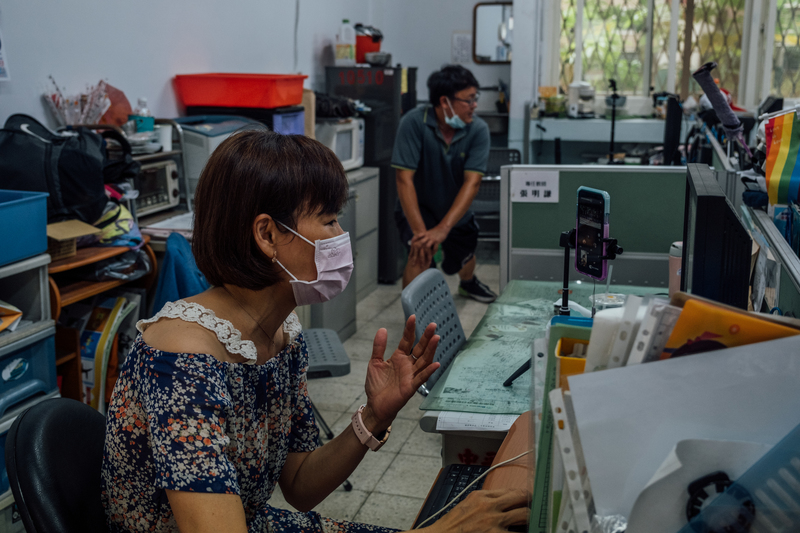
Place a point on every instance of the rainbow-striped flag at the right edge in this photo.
(783, 165)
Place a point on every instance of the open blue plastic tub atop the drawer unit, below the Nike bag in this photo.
(23, 217)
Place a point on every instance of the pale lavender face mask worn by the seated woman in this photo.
(334, 260)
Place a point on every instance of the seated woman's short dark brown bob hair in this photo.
(250, 173)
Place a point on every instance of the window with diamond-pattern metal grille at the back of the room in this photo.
(634, 42)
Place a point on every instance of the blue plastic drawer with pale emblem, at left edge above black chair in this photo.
(27, 368)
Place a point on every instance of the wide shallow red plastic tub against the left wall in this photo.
(240, 90)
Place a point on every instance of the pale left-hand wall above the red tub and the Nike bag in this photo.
(138, 46)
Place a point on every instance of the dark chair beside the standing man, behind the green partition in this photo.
(486, 204)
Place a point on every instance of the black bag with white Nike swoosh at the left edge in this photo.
(69, 166)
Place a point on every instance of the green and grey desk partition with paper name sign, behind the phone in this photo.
(646, 217)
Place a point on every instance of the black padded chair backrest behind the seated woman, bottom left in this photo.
(54, 453)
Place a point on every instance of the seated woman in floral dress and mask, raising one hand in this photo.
(211, 410)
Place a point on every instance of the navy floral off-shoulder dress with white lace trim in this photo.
(189, 422)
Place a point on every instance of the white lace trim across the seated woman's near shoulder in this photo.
(193, 312)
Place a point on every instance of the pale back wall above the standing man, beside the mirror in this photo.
(418, 33)
